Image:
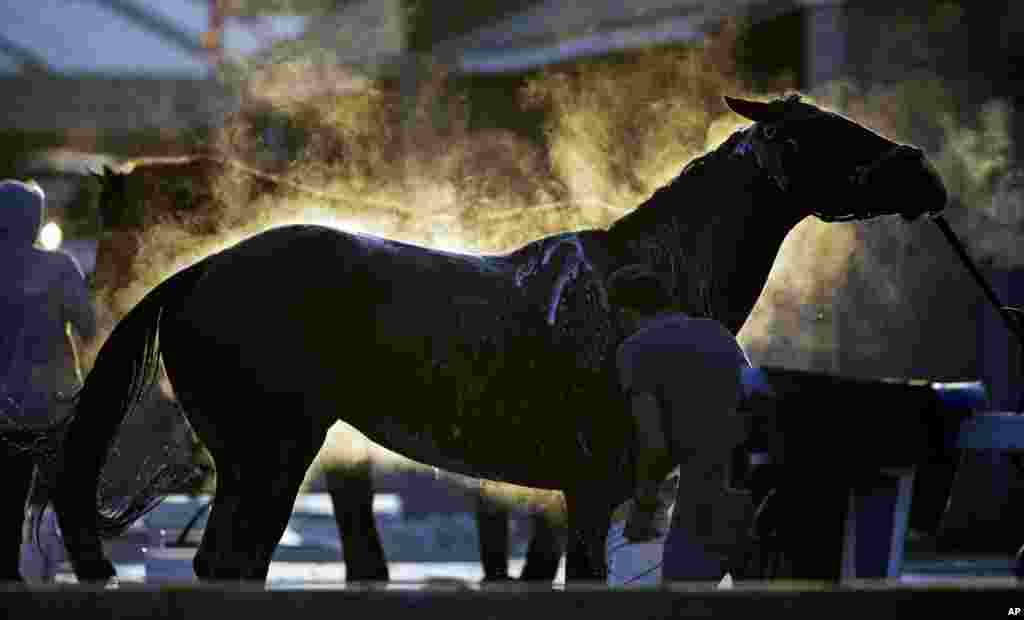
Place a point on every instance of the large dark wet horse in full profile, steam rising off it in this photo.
(499, 367)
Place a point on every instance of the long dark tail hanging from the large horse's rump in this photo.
(131, 357)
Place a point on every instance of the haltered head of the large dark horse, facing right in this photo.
(841, 171)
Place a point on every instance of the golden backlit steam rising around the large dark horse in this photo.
(364, 152)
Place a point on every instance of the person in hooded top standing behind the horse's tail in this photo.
(41, 293)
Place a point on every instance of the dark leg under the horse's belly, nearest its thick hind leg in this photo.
(352, 492)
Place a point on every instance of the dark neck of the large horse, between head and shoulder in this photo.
(717, 239)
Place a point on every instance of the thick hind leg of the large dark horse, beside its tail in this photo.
(257, 488)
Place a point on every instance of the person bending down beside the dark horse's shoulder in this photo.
(682, 380)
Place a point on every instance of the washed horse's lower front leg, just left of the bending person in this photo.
(589, 519)
